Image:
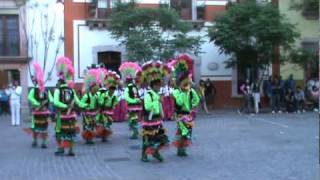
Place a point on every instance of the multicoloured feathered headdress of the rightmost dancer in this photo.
(183, 69)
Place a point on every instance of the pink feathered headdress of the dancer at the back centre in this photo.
(129, 70)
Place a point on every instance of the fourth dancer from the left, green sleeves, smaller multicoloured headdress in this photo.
(107, 101)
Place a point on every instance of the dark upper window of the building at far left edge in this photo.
(9, 35)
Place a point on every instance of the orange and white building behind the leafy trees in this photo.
(87, 40)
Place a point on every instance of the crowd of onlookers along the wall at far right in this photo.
(280, 95)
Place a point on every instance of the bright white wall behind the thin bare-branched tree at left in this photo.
(36, 26)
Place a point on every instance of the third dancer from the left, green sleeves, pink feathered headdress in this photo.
(91, 83)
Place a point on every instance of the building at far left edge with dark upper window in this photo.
(13, 47)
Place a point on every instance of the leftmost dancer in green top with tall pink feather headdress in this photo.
(39, 98)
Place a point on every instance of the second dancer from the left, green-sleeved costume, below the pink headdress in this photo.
(65, 98)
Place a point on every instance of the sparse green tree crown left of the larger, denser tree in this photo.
(152, 34)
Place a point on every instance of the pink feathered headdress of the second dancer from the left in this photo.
(65, 70)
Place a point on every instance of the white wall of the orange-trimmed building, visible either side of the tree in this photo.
(85, 40)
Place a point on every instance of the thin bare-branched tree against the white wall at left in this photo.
(44, 46)
